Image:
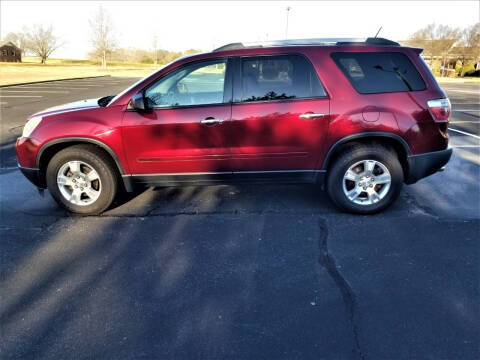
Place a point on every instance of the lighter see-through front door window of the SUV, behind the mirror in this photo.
(196, 84)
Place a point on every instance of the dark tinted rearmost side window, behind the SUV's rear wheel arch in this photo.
(379, 72)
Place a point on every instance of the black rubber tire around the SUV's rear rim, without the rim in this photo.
(352, 155)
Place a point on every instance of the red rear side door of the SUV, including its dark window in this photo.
(280, 114)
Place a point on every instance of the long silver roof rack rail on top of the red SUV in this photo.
(309, 42)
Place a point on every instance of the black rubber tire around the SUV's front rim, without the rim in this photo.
(100, 162)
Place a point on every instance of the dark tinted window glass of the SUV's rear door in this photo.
(279, 77)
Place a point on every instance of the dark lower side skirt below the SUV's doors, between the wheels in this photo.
(216, 178)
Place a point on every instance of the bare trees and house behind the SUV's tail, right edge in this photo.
(449, 51)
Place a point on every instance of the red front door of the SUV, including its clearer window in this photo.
(187, 130)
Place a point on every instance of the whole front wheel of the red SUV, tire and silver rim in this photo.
(82, 179)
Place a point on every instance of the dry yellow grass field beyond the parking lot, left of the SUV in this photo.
(31, 70)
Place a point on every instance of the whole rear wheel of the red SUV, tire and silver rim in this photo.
(365, 179)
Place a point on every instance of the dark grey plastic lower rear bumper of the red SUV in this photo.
(423, 165)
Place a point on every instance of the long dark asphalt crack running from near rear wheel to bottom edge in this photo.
(327, 261)
